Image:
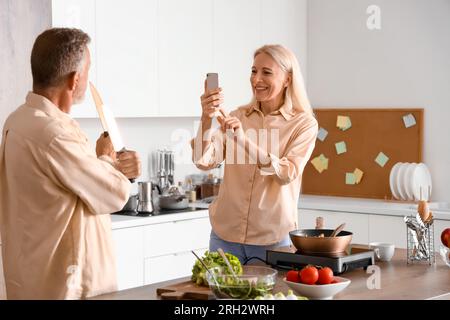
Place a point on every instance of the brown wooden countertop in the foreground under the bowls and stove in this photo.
(399, 281)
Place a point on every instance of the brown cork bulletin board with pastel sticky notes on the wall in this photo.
(372, 131)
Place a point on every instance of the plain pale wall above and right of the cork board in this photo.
(405, 64)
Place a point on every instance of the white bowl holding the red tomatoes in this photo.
(319, 291)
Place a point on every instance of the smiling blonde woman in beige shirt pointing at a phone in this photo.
(266, 145)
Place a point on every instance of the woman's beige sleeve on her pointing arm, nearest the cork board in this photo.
(291, 165)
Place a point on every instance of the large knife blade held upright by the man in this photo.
(108, 122)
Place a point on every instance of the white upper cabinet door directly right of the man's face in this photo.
(127, 56)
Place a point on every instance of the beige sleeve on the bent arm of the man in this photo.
(101, 187)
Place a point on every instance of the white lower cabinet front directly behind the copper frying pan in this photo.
(357, 223)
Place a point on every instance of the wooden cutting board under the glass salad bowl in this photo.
(184, 291)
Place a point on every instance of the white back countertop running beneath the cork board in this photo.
(440, 210)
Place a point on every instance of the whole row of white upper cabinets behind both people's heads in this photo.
(150, 57)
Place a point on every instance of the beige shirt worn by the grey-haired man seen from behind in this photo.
(55, 200)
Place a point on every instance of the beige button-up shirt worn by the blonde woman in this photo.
(259, 205)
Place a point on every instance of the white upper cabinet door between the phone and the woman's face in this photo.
(237, 34)
